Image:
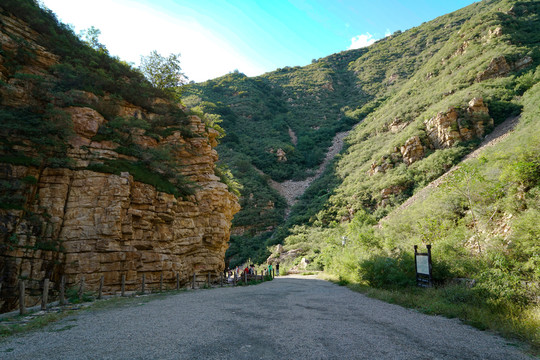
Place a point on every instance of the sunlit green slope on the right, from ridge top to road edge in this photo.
(482, 219)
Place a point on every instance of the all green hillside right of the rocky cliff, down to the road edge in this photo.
(416, 103)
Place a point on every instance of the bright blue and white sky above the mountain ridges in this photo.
(253, 36)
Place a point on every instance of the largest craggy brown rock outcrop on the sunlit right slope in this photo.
(446, 128)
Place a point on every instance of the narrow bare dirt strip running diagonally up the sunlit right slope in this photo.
(498, 134)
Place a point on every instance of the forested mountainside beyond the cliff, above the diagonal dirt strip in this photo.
(420, 100)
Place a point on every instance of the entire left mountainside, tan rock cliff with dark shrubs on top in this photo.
(100, 173)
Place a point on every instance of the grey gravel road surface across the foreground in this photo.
(289, 318)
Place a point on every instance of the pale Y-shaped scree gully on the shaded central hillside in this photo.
(291, 189)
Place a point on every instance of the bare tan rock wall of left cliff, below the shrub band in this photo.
(111, 225)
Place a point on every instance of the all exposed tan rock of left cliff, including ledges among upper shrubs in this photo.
(78, 222)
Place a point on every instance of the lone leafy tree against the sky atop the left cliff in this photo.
(164, 73)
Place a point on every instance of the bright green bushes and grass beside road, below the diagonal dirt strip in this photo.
(483, 225)
